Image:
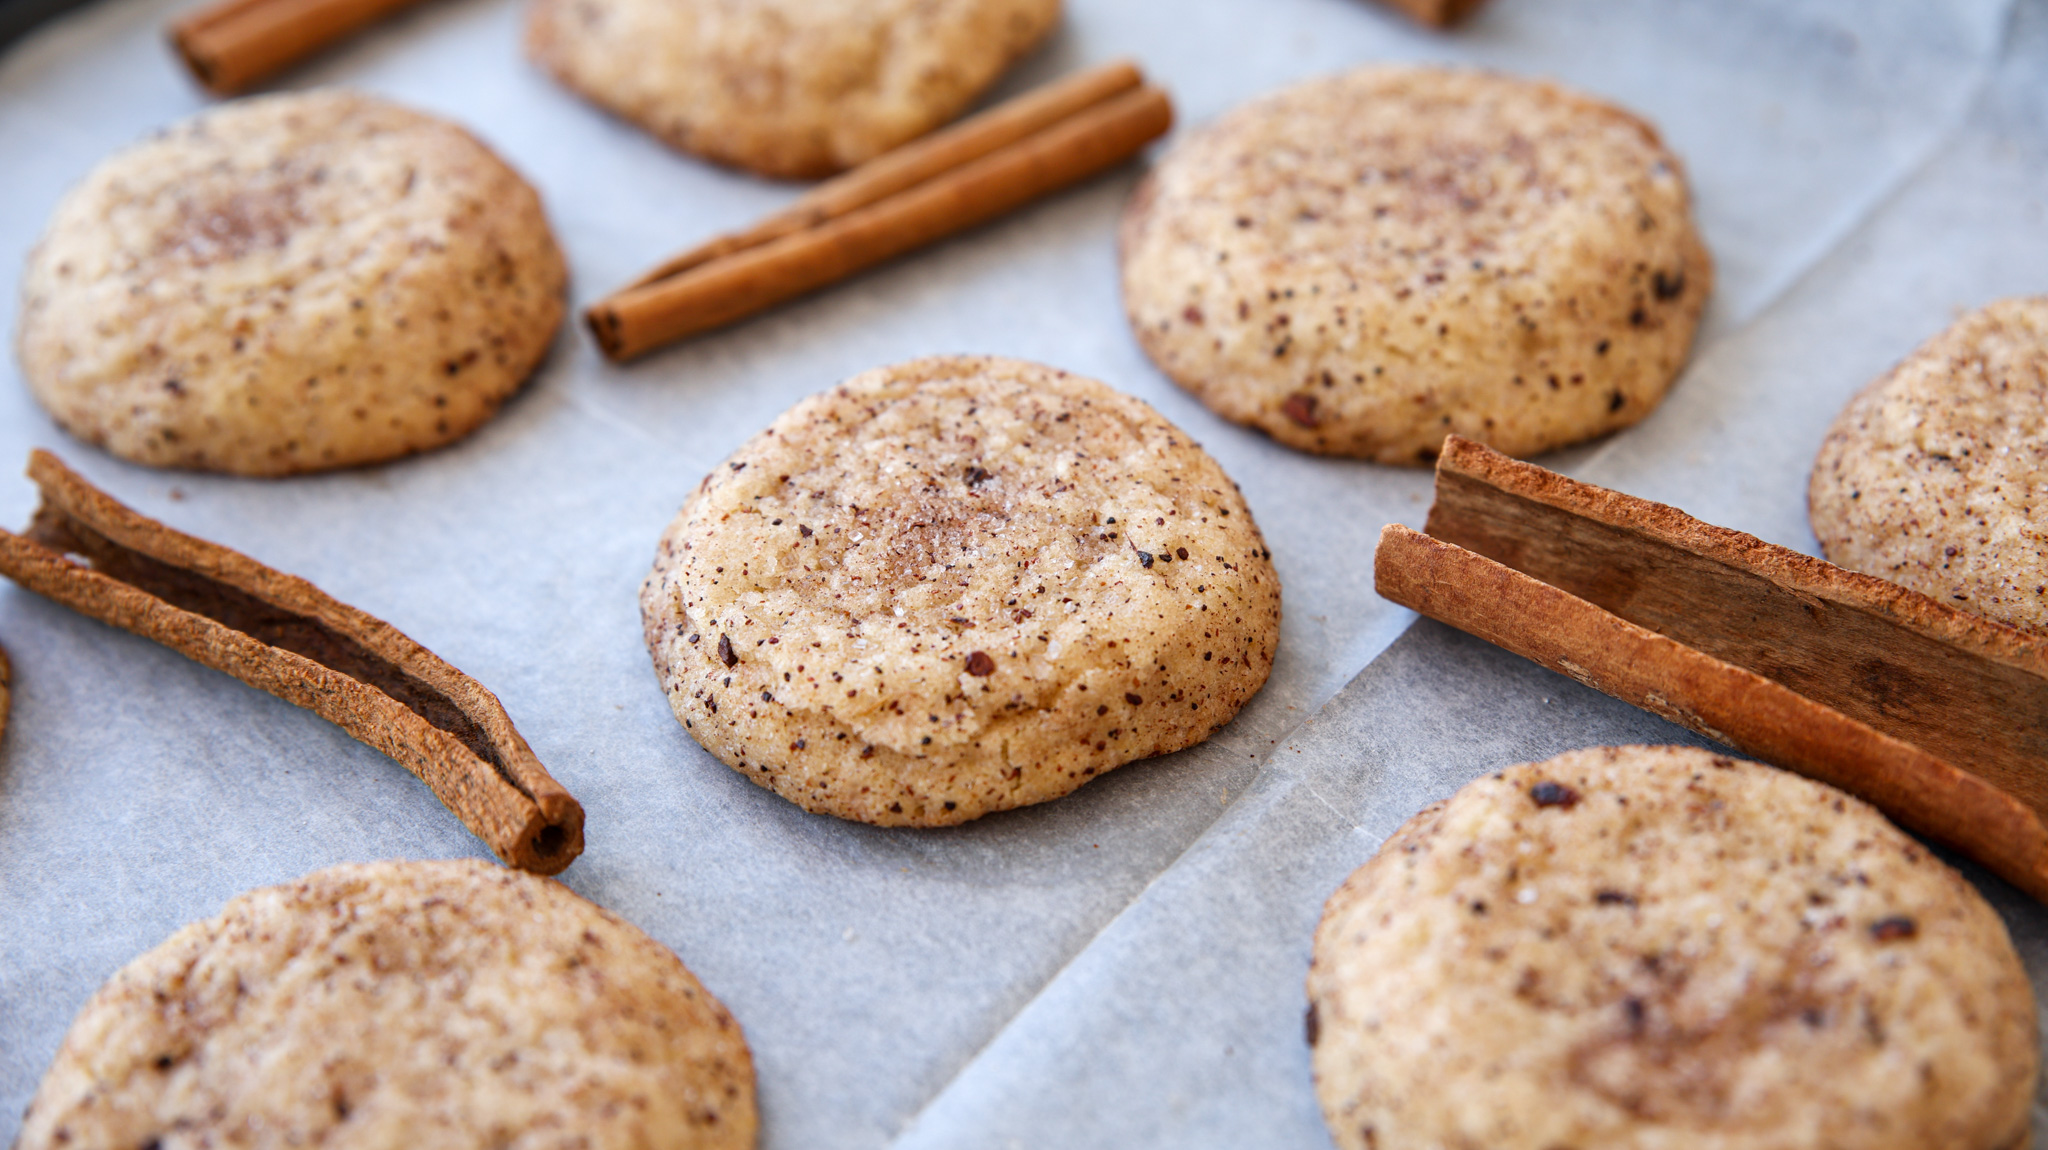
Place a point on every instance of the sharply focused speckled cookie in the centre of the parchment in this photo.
(959, 586)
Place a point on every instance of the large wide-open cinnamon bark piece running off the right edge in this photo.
(1936, 717)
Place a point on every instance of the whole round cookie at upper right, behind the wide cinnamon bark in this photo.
(1369, 263)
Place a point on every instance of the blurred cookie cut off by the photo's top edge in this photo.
(790, 89)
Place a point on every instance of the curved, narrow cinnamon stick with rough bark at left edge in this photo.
(286, 637)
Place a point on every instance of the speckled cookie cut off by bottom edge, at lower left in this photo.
(402, 1004)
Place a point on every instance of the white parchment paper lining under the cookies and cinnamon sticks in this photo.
(1121, 967)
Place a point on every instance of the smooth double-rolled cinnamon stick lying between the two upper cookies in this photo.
(892, 206)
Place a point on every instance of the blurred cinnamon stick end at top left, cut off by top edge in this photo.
(237, 44)
